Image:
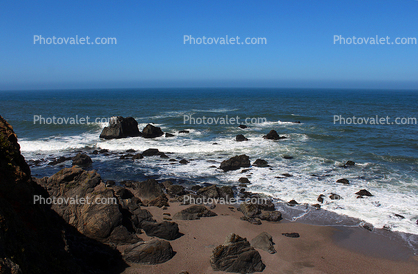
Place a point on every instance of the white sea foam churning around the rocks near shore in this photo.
(393, 193)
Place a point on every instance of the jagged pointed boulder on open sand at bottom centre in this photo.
(236, 255)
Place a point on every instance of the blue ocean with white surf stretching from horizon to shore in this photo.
(386, 155)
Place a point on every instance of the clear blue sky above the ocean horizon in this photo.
(300, 50)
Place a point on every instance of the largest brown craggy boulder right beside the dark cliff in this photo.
(95, 220)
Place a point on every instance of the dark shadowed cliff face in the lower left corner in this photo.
(33, 238)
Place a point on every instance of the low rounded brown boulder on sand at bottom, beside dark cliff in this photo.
(151, 252)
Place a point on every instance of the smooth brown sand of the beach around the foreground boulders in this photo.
(319, 249)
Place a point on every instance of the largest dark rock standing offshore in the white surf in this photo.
(120, 127)
